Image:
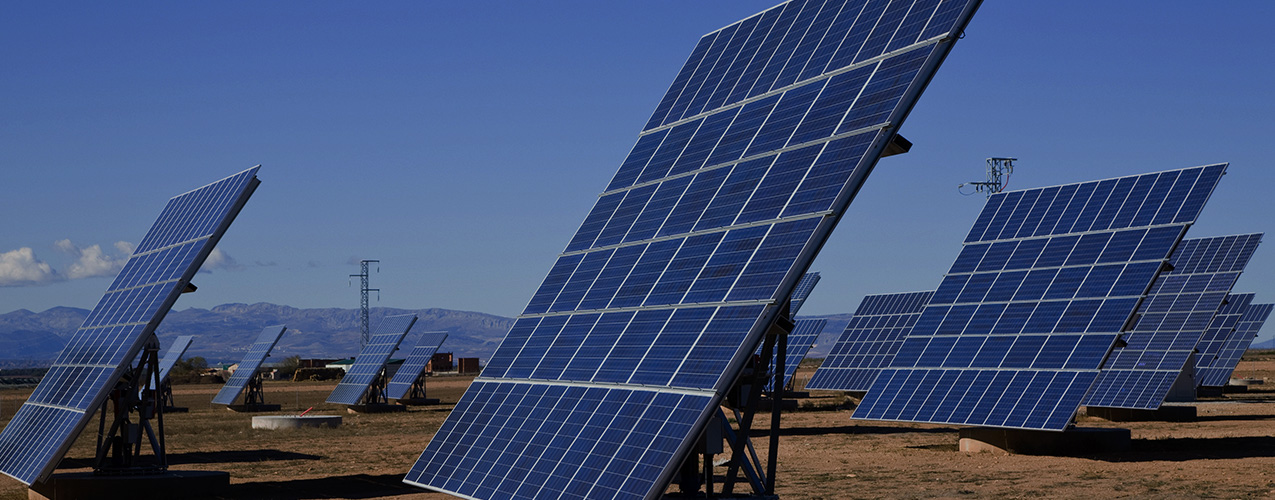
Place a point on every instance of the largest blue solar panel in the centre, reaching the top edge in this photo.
(669, 286)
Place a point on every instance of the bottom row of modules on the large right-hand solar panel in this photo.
(1002, 399)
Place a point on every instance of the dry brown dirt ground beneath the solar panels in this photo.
(1228, 453)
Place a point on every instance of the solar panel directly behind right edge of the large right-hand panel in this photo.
(1171, 322)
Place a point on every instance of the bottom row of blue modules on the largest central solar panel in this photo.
(516, 441)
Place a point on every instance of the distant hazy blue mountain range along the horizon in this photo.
(225, 332)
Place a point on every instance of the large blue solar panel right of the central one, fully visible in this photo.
(1049, 279)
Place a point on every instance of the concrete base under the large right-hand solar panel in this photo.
(1075, 442)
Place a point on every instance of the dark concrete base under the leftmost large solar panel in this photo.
(169, 485)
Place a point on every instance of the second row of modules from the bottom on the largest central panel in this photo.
(675, 348)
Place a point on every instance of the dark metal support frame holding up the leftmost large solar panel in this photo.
(119, 447)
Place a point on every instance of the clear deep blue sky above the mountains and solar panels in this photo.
(462, 143)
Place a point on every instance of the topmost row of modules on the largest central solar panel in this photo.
(795, 43)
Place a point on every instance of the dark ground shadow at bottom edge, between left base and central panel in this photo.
(358, 487)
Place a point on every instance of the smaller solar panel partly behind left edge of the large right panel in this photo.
(870, 341)
